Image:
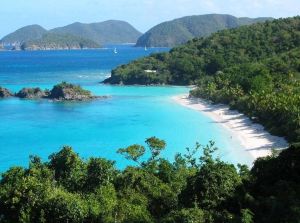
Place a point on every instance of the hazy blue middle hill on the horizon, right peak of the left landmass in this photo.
(111, 31)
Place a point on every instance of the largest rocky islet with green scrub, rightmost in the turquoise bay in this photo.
(70, 92)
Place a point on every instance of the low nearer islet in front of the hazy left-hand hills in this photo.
(54, 41)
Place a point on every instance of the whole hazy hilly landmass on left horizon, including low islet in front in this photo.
(73, 36)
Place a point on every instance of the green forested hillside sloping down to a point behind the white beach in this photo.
(255, 69)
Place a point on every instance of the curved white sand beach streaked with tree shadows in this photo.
(257, 141)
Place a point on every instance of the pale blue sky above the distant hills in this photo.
(142, 14)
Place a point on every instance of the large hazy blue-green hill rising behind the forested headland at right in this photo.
(179, 31)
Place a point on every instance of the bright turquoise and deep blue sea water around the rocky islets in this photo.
(100, 127)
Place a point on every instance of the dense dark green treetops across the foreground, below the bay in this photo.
(194, 188)
